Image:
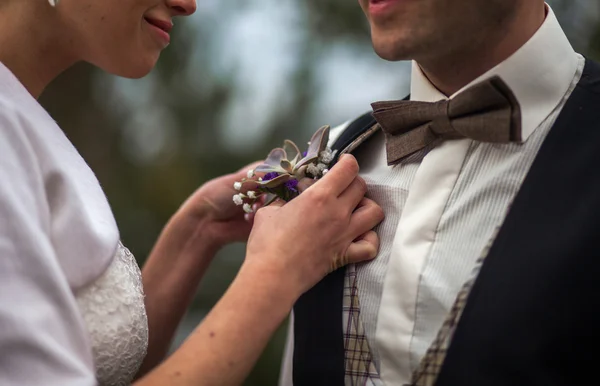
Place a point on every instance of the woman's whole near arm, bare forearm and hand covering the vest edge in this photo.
(290, 249)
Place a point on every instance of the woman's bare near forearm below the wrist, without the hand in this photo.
(226, 345)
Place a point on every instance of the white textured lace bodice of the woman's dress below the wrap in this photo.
(115, 316)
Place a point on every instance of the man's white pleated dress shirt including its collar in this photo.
(443, 203)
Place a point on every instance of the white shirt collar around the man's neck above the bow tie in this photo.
(539, 74)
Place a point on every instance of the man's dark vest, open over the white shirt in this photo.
(533, 316)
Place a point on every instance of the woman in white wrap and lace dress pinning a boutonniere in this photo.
(74, 307)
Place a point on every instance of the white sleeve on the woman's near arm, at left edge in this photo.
(42, 336)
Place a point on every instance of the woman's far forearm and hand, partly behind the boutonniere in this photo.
(207, 221)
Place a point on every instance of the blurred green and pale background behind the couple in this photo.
(240, 77)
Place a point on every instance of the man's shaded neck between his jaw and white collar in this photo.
(449, 73)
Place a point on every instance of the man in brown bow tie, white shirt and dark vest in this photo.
(489, 264)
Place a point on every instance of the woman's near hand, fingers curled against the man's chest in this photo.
(329, 225)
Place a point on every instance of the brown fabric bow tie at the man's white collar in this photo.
(486, 112)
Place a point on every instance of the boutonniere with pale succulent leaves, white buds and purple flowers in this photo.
(283, 168)
